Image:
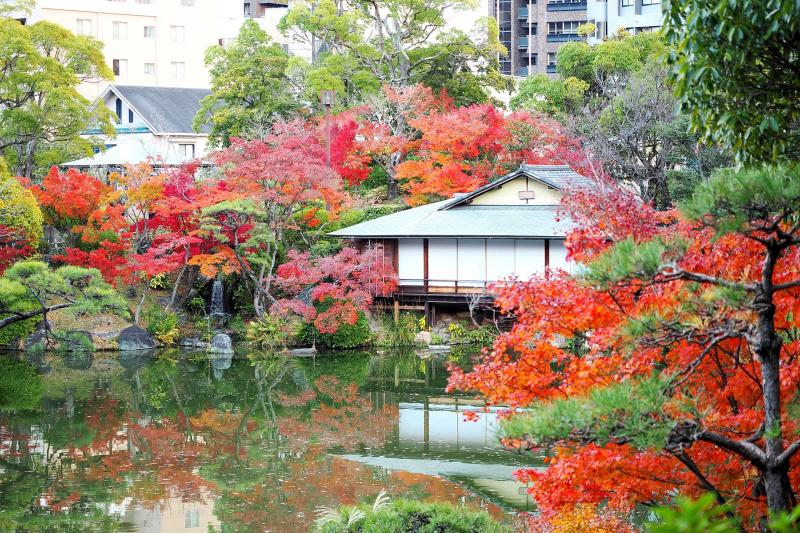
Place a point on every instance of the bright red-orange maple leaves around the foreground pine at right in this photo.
(531, 362)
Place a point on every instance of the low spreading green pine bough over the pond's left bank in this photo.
(32, 289)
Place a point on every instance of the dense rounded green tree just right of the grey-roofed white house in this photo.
(250, 87)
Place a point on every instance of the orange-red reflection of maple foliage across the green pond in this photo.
(170, 457)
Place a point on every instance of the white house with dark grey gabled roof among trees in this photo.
(151, 123)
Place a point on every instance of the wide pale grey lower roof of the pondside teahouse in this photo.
(466, 221)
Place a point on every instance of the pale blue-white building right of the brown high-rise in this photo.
(635, 16)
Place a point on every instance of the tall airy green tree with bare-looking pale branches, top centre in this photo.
(402, 42)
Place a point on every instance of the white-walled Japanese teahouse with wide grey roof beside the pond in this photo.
(449, 252)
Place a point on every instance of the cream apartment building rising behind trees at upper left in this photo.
(157, 43)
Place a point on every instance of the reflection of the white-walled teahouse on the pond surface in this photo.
(433, 435)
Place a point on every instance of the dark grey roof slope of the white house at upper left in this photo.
(167, 109)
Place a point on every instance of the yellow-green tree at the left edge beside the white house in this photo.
(42, 114)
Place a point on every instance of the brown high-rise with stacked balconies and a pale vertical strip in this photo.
(534, 30)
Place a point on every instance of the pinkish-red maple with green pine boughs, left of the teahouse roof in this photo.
(269, 187)
